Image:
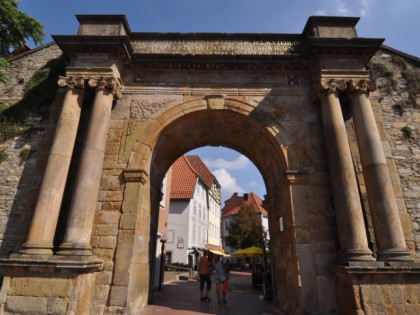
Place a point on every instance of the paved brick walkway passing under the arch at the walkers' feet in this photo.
(183, 297)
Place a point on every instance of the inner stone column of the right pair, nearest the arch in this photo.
(349, 215)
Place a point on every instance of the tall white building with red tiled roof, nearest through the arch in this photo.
(194, 211)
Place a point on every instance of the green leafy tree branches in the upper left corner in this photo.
(15, 29)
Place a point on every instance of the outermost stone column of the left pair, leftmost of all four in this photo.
(45, 217)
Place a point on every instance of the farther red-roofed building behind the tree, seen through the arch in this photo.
(232, 207)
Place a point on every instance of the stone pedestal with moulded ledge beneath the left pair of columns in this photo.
(40, 286)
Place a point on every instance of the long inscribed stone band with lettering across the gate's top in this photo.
(216, 47)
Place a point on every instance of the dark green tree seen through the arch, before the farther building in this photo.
(246, 229)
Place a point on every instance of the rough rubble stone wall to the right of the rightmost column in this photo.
(399, 104)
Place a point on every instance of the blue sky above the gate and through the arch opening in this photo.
(396, 21)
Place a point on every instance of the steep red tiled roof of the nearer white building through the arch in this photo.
(185, 172)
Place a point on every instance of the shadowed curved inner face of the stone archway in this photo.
(247, 130)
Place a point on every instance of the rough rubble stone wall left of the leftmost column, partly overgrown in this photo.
(22, 171)
